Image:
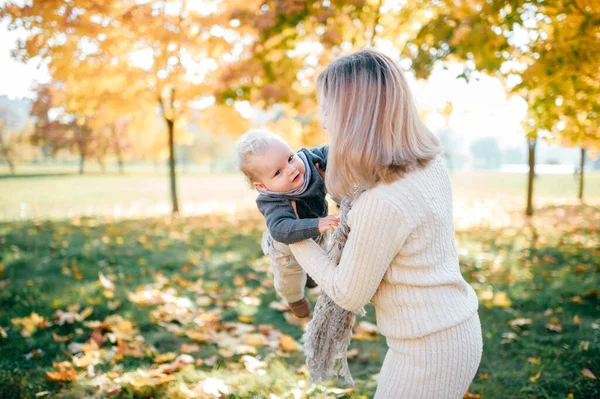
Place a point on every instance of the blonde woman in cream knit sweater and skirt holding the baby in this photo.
(401, 251)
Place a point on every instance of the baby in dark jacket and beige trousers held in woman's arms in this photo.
(288, 183)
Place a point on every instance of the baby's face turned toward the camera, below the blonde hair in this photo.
(278, 169)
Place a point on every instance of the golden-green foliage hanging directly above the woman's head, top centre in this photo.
(287, 42)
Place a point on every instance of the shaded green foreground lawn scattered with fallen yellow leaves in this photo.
(203, 281)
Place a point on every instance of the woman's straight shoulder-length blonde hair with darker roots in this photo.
(376, 133)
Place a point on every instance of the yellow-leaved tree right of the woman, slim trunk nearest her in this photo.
(543, 51)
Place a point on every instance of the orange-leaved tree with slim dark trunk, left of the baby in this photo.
(159, 51)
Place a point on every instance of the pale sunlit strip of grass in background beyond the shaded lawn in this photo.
(60, 193)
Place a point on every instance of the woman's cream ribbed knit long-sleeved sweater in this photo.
(400, 253)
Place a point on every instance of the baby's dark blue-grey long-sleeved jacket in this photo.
(311, 205)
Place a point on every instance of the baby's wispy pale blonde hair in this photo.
(250, 144)
